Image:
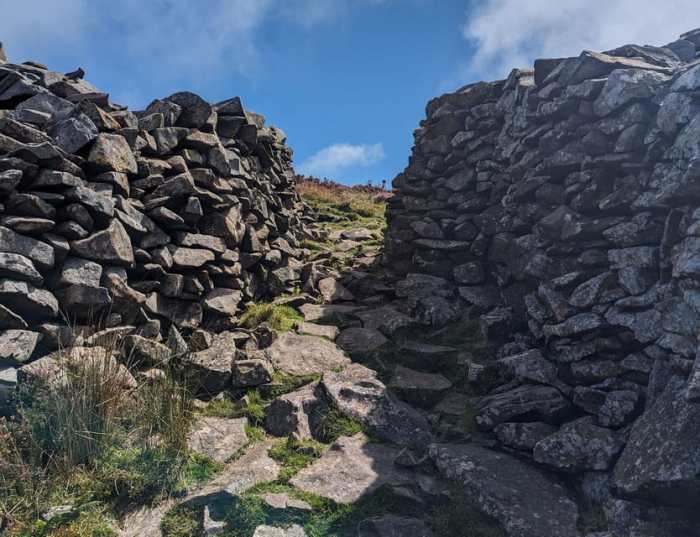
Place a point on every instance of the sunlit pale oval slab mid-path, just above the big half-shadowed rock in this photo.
(296, 354)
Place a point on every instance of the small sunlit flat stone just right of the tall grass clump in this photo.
(218, 438)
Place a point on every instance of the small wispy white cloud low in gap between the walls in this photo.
(334, 158)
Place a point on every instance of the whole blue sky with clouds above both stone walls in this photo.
(347, 80)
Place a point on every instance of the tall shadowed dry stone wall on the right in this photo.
(562, 205)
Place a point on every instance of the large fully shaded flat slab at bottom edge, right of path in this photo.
(525, 501)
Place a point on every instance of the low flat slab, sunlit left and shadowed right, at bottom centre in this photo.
(352, 468)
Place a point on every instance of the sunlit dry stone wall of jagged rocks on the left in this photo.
(174, 215)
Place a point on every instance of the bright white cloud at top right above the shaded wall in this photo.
(512, 33)
